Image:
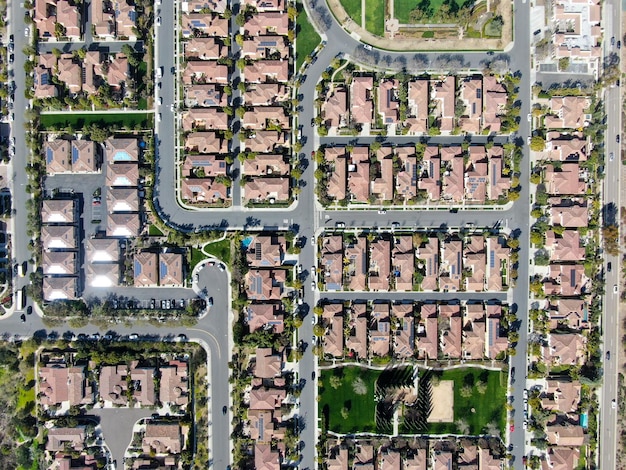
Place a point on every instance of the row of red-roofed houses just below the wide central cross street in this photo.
(414, 262)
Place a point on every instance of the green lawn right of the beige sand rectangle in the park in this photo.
(478, 410)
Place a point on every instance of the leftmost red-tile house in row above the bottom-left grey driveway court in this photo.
(62, 385)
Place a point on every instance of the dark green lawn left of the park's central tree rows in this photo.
(361, 408)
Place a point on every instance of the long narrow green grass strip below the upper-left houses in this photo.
(78, 121)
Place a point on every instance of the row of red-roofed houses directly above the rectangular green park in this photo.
(404, 330)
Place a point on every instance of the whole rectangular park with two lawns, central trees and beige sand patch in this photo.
(356, 399)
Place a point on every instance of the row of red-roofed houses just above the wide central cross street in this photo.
(401, 175)
